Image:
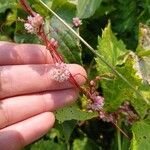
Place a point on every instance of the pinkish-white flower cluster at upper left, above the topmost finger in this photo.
(34, 23)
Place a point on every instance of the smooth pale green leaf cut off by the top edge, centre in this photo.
(87, 8)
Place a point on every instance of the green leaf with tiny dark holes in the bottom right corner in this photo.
(141, 135)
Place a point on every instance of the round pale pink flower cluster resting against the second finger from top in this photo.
(60, 72)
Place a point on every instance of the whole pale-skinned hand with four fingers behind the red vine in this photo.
(28, 96)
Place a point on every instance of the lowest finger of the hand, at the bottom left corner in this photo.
(18, 135)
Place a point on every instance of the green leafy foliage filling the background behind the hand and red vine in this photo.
(74, 127)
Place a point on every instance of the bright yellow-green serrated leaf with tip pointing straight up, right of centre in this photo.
(111, 49)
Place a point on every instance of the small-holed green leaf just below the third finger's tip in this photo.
(73, 113)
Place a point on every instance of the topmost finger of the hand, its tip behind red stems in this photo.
(14, 54)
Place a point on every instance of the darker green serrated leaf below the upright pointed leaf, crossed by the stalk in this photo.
(116, 90)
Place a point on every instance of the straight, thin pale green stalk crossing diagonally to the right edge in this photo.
(92, 49)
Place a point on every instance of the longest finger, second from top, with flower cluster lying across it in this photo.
(25, 79)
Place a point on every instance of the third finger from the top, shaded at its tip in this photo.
(19, 108)
